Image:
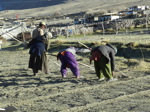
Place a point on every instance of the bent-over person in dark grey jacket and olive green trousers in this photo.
(104, 61)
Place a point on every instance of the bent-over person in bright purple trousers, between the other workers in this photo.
(68, 60)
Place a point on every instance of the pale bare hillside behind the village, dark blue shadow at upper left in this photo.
(49, 7)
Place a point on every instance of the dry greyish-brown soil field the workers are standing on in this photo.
(51, 93)
